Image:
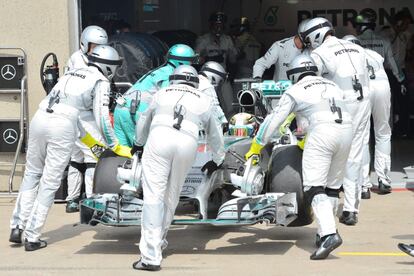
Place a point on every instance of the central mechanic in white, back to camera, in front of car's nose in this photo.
(169, 129)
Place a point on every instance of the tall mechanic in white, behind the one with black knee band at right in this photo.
(345, 63)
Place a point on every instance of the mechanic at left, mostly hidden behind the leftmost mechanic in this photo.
(90, 38)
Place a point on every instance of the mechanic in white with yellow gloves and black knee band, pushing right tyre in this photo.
(327, 146)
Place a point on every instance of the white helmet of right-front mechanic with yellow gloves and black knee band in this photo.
(301, 66)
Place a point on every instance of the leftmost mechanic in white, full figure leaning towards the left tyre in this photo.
(53, 132)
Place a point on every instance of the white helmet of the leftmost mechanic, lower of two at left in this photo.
(106, 59)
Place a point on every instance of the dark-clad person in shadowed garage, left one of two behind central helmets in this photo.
(215, 45)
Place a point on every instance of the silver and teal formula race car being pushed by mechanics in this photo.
(266, 189)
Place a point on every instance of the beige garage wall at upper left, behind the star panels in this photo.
(39, 27)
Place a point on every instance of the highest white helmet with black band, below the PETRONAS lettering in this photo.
(315, 30)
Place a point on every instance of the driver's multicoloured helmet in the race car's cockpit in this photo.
(243, 125)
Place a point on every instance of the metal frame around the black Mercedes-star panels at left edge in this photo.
(23, 119)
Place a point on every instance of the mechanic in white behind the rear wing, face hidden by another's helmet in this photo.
(280, 54)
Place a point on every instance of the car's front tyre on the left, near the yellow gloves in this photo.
(104, 179)
